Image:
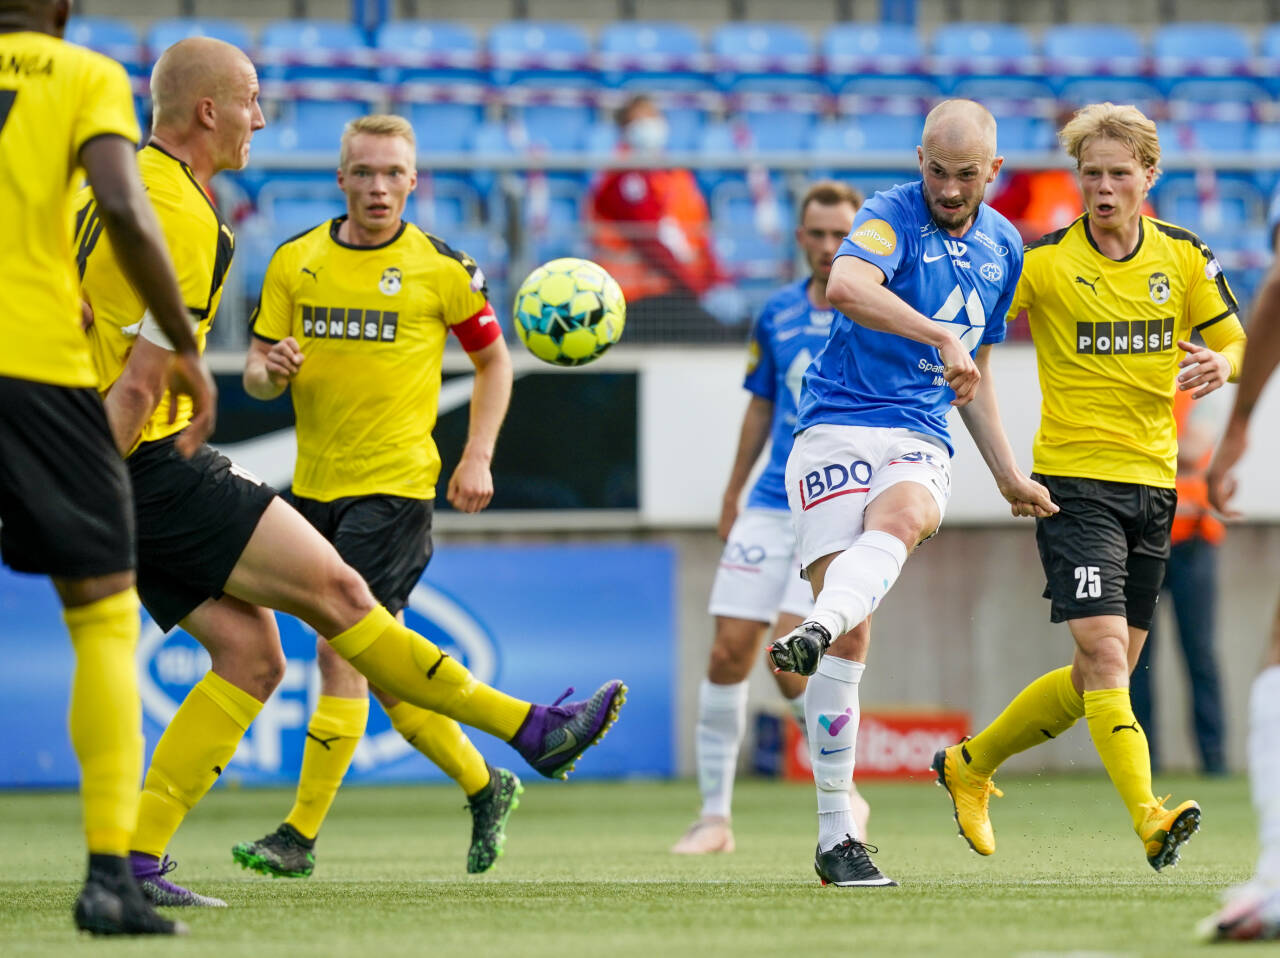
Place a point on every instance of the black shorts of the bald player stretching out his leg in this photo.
(195, 519)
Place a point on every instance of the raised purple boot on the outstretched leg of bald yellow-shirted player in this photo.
(554, 737)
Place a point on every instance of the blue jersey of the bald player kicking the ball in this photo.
(865, 377)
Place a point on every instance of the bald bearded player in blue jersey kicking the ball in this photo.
(922, 285)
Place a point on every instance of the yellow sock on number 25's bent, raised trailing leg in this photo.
(1040, 713)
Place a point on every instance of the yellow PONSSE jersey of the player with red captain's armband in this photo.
(372, 323)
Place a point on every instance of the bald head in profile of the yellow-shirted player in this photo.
(204, 94)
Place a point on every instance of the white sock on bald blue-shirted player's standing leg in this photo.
(831, 711)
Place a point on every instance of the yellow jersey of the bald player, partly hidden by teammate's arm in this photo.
(202, 247)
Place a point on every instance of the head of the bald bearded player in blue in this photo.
(958, 161)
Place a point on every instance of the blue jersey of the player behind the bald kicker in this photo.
(787, 337)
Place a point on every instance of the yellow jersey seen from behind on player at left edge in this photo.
(54, 98)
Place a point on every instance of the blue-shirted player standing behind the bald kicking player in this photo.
(760, 574)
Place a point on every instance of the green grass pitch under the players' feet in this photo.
(588, 873)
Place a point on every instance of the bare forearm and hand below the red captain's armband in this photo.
(472, 485)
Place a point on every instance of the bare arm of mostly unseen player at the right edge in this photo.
(1260, 362)
